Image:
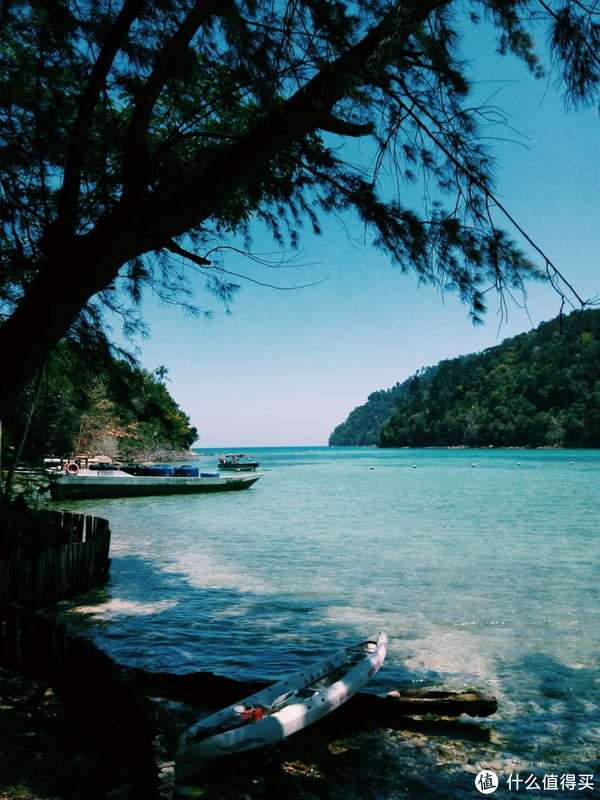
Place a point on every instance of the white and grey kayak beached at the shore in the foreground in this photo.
(282, 709)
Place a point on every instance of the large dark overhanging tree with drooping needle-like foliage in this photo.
(134, 134)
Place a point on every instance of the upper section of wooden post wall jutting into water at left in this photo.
(62, 570)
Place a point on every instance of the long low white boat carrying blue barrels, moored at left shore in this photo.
(113, 481)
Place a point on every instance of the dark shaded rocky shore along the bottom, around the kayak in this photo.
(74, 724)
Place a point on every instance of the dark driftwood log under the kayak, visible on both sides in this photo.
(205, 688)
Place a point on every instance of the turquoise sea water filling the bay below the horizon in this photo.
(482, 567)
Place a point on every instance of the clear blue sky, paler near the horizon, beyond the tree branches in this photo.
(283, 368)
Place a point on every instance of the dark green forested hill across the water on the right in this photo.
(539, 389)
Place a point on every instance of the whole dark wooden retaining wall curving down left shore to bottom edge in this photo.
(108, 710)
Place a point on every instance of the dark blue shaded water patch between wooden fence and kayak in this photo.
(167, 622)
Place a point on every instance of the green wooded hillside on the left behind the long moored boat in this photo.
(91, 402)
